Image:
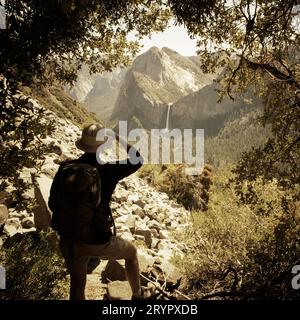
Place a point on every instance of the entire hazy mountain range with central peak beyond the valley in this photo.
(156, 79)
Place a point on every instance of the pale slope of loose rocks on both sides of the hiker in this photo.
(142, 215)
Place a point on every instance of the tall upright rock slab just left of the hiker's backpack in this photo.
(42, 214)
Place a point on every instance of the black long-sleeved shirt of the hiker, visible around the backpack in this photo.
(110, 175)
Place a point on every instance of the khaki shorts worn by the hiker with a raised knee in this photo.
(79, 253)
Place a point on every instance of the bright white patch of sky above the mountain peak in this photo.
(175, 38)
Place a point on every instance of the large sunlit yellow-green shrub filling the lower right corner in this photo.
(243, 251)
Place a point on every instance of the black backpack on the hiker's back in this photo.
(79, 214)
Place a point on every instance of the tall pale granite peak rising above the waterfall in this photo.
(157, 78)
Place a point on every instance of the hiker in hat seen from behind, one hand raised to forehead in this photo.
(86, 229)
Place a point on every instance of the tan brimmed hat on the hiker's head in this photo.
(88, 141)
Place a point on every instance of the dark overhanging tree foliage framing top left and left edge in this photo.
(47, 41)
